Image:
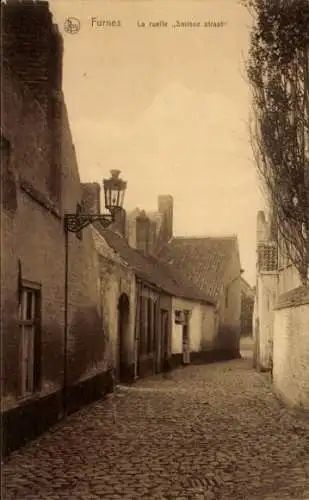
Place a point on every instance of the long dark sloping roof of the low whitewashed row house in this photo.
(153, 270)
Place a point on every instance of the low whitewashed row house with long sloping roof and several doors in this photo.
(159, 315)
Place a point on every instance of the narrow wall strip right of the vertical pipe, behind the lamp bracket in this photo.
(85, 323)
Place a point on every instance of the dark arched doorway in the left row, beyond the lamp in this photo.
(123, 323)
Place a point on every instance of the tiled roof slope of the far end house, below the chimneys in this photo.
(202, 260)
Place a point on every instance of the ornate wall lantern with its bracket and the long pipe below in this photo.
(114, 190)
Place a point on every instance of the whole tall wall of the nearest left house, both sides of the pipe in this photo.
(32, 226)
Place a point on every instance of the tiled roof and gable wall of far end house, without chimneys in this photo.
(212, 265)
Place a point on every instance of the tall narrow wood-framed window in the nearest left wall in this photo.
(29, 314)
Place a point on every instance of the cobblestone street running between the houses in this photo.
(212, 432)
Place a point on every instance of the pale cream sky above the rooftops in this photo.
(169, 107)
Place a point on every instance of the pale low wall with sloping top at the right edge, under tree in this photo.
(291, 349)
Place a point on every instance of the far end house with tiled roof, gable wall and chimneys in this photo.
(210, 264)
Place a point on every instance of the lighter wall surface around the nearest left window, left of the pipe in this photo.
(32, 235)
